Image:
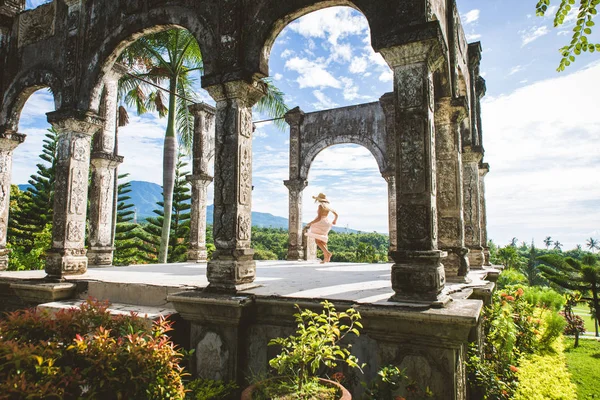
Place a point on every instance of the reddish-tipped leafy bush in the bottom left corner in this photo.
(86, 353)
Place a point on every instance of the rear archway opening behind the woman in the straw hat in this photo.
(349, 176)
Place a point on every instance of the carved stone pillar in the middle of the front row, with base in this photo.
(232, 265)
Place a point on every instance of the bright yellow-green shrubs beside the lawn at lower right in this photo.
(522, 331)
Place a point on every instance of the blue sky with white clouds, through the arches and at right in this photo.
(541, 128)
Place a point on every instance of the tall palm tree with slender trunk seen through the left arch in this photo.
(170, 59)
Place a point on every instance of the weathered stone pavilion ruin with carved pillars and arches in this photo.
(426, 137)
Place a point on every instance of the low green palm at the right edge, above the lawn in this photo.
(572, 274)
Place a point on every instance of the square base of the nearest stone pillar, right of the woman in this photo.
(418, 277)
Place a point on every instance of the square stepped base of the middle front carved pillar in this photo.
(231, 273)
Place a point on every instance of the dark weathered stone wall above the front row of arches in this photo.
(70, 44)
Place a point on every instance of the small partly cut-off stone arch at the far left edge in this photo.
(19, 91)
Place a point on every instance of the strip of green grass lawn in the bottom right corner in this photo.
(584, 365)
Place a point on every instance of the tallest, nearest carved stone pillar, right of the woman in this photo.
(418, 273)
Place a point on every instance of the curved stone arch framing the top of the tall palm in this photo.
(134, 27)
